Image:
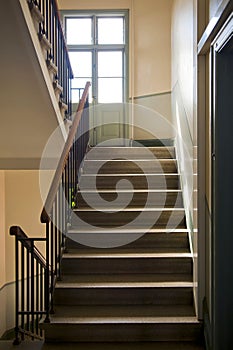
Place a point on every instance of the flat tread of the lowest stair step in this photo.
(123, 311)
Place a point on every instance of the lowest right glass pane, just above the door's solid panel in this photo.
(110, 90)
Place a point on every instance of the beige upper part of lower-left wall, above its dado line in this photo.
(23, 208)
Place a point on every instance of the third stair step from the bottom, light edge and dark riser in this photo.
(127, 263)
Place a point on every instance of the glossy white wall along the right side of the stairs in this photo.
(184, 102)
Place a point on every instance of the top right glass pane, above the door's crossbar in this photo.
(110, 31)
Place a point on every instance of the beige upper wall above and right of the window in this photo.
(150, 47)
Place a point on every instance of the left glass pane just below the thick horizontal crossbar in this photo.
(81, 63)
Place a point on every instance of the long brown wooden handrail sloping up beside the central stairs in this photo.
(45, 215)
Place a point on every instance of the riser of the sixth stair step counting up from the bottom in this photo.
(159, 200)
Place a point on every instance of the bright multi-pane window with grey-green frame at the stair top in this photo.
(97, 47)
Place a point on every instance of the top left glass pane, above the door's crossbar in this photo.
(78, 31)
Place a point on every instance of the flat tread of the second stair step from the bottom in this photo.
(112, 278)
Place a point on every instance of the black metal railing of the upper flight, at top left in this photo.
(51, 28)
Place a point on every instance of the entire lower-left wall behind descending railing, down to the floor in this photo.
(20, 204)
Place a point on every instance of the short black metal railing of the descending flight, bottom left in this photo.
(31, 273)
